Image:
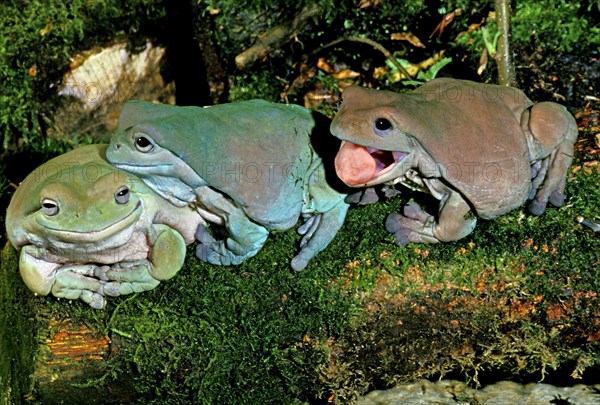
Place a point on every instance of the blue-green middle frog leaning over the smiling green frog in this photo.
(248, 166)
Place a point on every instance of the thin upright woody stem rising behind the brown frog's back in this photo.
(506, 69)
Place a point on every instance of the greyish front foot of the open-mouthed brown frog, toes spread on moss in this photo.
(413, 225)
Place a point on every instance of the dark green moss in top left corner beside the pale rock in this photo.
(56, 30)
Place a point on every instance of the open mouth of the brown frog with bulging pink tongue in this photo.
(362, 166)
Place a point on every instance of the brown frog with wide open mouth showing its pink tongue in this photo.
(481, 150)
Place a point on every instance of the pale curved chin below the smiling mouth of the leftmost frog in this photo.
(95, 235)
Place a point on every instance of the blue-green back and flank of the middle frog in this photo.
(256, 152)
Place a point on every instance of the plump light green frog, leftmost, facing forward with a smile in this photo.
(87, 230)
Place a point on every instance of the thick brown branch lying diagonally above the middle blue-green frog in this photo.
(276, 37)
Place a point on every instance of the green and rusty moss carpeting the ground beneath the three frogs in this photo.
(517, 297)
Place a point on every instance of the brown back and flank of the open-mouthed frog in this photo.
(474, 132)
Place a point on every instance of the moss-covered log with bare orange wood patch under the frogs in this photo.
(221, 333)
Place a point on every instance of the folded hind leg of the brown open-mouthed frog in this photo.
(553, 132)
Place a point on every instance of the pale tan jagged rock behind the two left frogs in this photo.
(100, 81)
